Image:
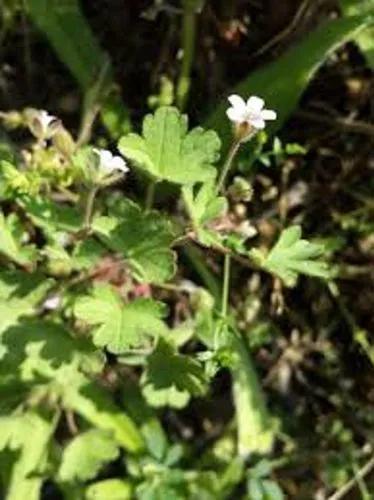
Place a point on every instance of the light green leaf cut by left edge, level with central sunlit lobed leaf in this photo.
(20, 294)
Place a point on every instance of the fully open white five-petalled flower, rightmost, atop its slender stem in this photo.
(251, 112)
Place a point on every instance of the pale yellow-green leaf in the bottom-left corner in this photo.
(25, 437)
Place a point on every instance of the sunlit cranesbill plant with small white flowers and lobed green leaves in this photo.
(94, 346)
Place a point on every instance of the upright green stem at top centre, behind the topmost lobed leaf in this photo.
(188, 47)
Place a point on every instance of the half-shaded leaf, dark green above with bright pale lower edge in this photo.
(173, 386)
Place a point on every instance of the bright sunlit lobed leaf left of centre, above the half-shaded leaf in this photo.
(120, 326)
